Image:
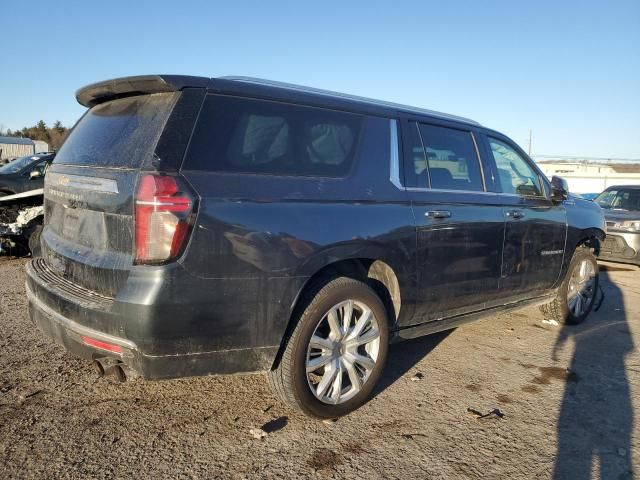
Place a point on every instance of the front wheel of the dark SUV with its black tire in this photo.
(562, 308)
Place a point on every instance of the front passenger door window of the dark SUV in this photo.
(514, 172)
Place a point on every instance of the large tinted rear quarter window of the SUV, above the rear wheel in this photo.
(253, 136)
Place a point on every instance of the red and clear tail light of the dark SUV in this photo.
(163, 219)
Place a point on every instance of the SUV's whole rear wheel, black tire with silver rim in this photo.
(314, 393)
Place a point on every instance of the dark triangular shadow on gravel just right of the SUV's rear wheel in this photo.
(403, 357)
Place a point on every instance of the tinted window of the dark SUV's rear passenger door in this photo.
(451, 161)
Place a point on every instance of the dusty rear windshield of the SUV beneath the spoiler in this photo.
(119, 134)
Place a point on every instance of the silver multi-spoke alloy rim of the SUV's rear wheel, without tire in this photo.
(342, 352)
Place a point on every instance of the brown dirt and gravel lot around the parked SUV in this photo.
(568, 396)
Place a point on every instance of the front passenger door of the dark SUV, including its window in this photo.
(536, 227)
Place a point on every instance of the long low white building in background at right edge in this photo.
(592, 176)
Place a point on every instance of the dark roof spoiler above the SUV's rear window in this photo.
(100, 92)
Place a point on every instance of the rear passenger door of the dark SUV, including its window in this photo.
(460, 224)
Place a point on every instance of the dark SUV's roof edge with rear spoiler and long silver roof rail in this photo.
(129, 86)
